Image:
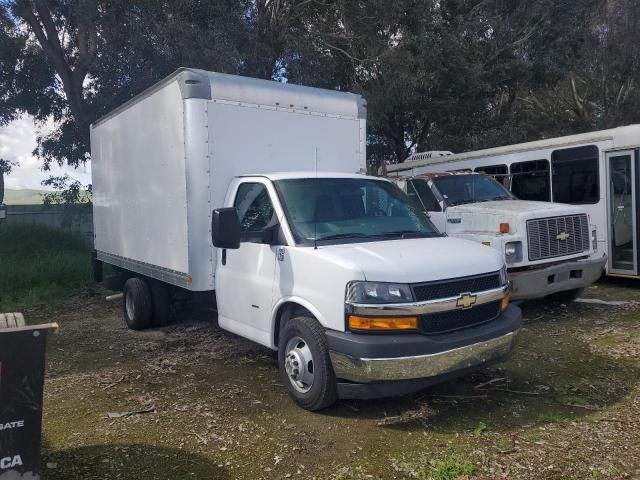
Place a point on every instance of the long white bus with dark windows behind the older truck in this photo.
(599, 170)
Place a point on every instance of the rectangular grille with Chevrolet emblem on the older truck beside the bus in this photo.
(545, 236)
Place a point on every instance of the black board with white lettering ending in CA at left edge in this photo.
(22, 361)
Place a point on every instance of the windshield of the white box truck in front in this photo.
(350, 209)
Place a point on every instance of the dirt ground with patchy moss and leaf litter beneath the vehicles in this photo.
(565, 406)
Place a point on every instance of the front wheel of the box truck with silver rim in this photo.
(305, 366)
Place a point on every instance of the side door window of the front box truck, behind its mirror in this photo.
(254, 207)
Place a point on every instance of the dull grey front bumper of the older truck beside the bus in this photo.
(571, 275)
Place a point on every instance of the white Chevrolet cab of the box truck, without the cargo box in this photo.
(354, 286)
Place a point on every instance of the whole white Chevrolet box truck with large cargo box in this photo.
(216, 185)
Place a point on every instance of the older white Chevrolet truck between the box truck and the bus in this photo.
(549, 248)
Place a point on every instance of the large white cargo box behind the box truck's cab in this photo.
(162, 162)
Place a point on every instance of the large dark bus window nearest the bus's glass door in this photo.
(575, 175)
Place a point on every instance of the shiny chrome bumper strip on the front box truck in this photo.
(367, 370)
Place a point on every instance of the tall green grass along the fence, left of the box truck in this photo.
(40, 265)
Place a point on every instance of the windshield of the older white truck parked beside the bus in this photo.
(460, 189)
